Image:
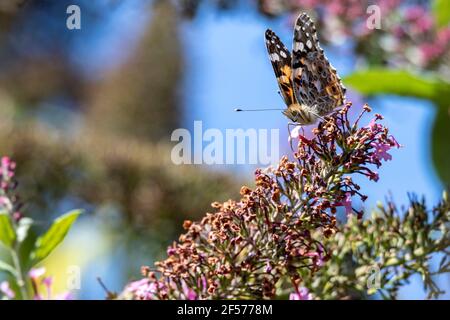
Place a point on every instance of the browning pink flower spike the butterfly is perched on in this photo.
(256, 247)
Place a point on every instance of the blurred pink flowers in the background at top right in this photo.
(406, 35)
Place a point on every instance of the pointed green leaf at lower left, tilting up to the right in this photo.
(46, 243)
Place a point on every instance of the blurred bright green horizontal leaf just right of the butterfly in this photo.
(399, 82)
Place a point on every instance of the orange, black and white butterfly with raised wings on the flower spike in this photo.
(309, 85)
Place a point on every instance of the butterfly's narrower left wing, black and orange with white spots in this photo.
(282, 66)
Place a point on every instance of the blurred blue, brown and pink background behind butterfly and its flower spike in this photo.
(88, 114)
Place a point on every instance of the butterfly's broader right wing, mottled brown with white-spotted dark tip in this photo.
(316, 83)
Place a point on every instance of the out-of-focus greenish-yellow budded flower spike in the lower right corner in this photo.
(380, 254)
